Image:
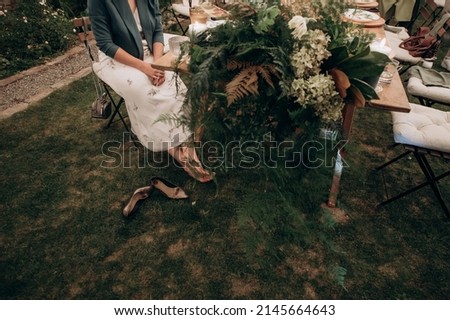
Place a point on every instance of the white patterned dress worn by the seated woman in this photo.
(146, 103)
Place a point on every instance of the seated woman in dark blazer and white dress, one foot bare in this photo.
(129, 35)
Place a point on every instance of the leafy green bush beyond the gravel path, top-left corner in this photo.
(31, 33)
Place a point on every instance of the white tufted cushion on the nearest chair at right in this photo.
(423, 127)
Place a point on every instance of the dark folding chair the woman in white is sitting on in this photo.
(86, 36)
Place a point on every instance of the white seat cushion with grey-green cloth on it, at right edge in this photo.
(425, 90)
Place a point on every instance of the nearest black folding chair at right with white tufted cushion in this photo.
(423, 132)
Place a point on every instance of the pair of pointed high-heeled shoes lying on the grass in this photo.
(167, 188)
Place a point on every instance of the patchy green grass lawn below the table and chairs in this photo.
(244, 237)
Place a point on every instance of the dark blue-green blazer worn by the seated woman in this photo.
(114, 26)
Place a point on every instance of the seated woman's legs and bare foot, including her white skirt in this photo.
(146, 104)
